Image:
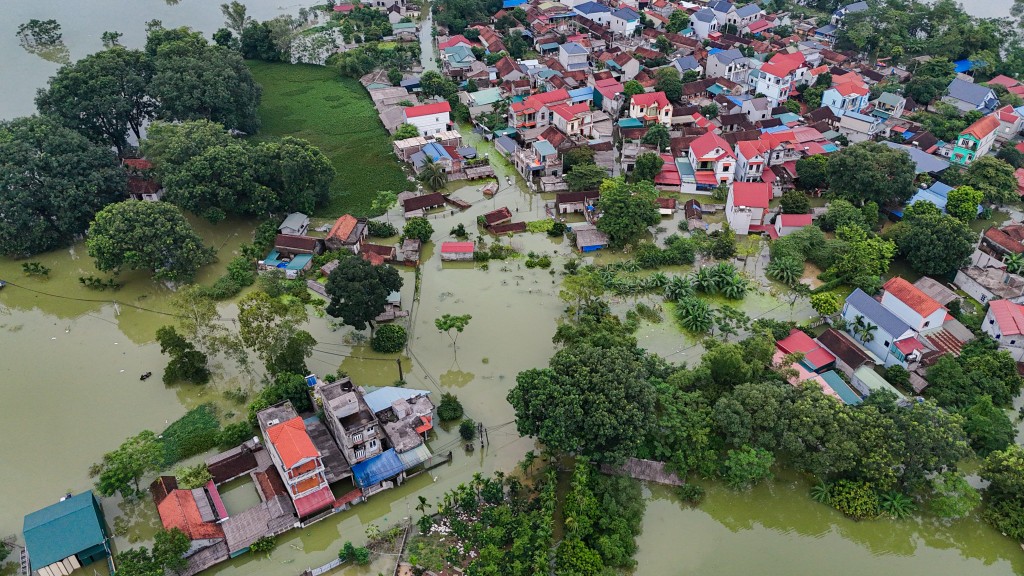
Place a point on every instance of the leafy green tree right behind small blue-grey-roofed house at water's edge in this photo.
(627, 211)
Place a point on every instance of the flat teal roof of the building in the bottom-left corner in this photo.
(64, 529)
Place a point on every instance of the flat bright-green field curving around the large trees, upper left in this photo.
(336, 115)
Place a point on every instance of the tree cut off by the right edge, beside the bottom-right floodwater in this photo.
(1005, 496)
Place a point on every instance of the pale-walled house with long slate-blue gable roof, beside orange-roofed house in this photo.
(881, 332)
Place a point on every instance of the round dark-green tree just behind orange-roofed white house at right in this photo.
(936, 245)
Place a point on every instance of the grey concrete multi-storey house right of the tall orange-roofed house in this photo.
(352, 423)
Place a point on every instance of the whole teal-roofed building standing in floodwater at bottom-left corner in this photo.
(66, 537)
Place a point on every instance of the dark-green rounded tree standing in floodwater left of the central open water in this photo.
(359, 292)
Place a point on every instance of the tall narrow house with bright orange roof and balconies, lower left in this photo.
(298, 462)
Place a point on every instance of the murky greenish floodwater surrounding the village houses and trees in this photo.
(72, 358)
